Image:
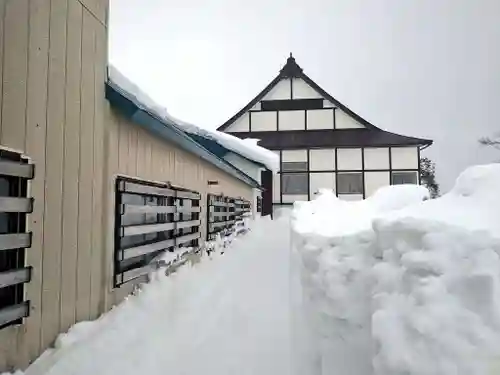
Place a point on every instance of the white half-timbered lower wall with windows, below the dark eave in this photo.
(352, 173)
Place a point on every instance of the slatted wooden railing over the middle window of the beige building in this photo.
(151, 220)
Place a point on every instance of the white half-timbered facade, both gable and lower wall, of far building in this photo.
(296, 107)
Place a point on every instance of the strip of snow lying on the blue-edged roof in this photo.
(245, 147)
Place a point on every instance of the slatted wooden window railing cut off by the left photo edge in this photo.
(15, 172)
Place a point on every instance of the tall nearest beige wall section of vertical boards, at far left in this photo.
(52, 73)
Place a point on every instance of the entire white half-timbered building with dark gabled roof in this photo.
(322, 143)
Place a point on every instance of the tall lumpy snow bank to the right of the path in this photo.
(401, 285)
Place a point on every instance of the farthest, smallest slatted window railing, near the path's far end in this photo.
(224, 214)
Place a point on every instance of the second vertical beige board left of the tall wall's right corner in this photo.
(71, 167)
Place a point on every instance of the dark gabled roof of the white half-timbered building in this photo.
(293, 70)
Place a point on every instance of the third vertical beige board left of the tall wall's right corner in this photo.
(54, 174)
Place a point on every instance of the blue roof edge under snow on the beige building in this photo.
(139, 114)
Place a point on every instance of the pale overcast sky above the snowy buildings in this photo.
(427, 68)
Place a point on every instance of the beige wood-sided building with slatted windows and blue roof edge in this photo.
(93, 185)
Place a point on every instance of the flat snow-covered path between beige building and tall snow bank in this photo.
(227, 315)
